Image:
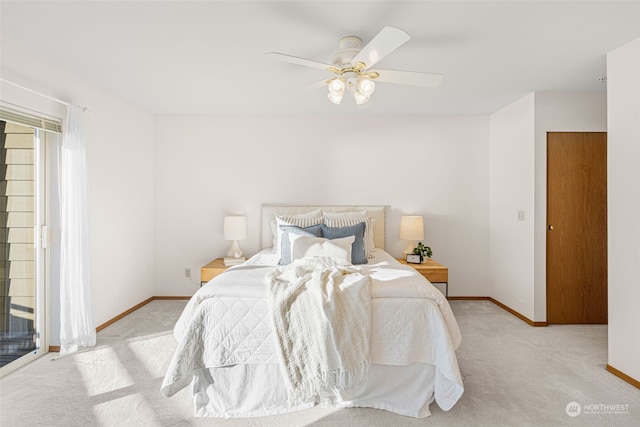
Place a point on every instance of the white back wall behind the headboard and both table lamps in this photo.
(207, 167)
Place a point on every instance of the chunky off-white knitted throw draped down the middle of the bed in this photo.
(322, 320)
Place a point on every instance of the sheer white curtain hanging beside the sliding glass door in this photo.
(76, 316)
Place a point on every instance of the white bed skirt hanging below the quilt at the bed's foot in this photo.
(254, 390)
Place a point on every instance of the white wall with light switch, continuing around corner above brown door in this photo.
(518, 182)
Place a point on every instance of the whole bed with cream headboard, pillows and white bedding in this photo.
(230, 347)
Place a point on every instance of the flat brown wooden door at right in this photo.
(577, 227)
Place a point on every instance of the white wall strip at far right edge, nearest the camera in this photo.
(623, 71)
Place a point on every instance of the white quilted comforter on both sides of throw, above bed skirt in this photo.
(227, 323)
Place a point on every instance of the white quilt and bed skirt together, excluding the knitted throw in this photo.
(226, 347)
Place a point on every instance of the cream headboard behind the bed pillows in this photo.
(377, 212)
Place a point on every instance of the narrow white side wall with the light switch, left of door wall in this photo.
(512, 176)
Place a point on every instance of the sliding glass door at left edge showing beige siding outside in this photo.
(22, 215)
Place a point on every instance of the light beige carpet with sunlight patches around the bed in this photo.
(515, 375)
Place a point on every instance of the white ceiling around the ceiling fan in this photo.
(206, 57)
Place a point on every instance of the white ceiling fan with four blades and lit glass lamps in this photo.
(352, 67)
